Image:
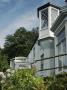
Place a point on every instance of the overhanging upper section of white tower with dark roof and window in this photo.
(47, 15)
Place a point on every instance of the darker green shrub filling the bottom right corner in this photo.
(59, 82)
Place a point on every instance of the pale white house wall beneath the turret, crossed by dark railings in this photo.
(45, 48)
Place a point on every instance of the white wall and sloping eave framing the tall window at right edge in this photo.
(58, 30)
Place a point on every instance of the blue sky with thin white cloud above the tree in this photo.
(19, 13)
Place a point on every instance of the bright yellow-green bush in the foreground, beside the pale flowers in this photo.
(24, 80)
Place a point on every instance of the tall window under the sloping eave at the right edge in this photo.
(61, 49)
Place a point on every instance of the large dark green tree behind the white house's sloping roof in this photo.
(20, 43)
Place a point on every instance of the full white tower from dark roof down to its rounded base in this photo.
(47, 15)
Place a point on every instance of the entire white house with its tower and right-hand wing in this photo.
(48, 54)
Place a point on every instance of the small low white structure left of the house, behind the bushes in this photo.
(19, 62)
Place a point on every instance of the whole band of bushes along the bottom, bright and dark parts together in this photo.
(27, 80)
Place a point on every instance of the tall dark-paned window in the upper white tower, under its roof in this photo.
(44, 19)
